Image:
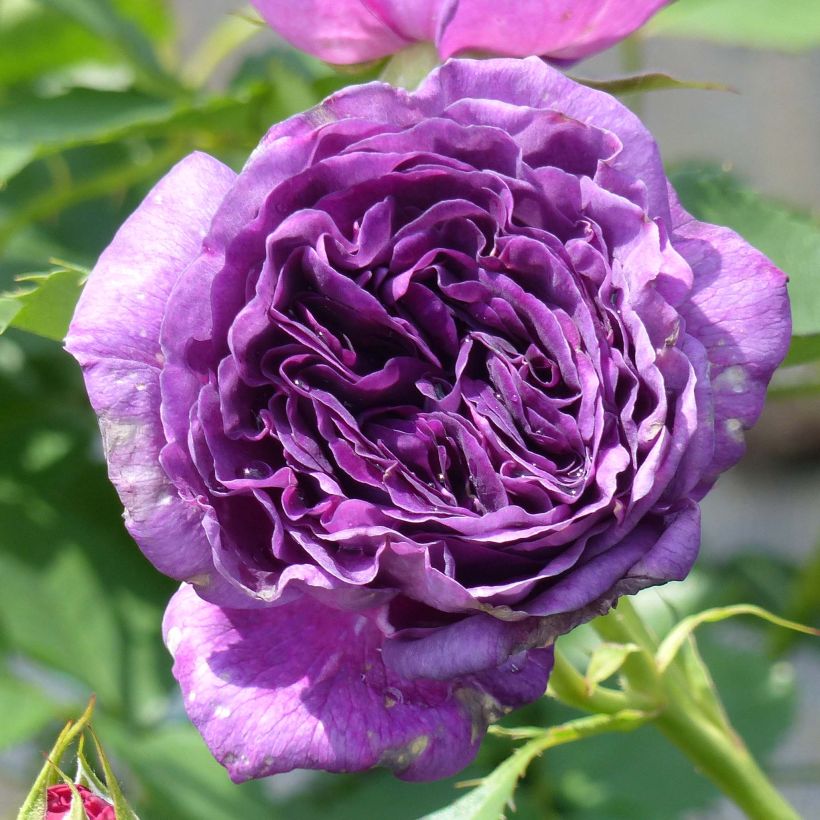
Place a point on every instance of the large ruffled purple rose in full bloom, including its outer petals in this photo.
(436, 377)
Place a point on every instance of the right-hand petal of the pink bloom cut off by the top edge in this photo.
(565, 29)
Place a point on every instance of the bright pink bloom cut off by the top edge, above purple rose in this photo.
(355, 31)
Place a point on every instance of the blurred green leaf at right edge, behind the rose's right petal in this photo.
(789, 238)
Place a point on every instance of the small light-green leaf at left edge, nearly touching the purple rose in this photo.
(45, 303)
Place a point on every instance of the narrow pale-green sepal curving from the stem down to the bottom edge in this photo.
(495, 792)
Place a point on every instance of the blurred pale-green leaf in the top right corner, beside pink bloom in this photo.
(768, 24)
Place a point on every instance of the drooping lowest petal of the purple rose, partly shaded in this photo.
(302, 685)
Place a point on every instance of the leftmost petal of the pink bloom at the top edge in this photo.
(332, 30)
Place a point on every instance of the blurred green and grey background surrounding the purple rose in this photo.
(97, 99)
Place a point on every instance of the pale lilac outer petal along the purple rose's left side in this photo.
(115, 337)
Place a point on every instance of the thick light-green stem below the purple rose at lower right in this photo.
(688, 711)
